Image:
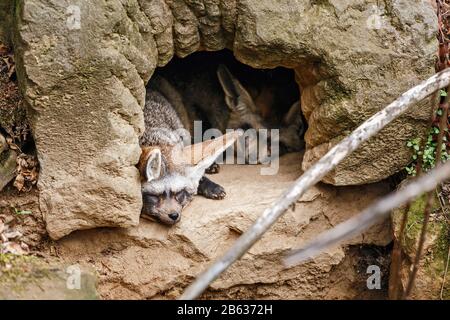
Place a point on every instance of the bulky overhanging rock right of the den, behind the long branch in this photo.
(352, 58)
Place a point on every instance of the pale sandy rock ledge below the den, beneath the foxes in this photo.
(152, 261)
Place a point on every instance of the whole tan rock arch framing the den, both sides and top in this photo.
(83, 69)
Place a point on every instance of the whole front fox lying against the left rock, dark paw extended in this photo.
(173, 172)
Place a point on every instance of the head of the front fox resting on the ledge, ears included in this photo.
(171, 174)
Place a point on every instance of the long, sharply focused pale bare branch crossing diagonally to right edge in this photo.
(313, 175)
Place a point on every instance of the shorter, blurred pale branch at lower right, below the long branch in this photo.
(371, 215)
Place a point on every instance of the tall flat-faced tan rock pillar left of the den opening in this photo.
(82, 69)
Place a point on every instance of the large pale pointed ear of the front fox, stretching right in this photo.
(202, 155)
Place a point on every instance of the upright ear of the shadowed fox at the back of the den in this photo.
(237, 97)
